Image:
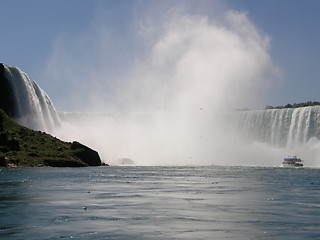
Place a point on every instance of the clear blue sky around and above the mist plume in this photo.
(104, 34)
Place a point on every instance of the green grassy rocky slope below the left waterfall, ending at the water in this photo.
(20, 146)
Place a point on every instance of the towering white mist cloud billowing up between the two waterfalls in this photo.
(163, 105)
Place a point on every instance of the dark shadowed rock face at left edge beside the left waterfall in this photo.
(7, 102)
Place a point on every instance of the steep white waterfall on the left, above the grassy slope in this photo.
(32, 106)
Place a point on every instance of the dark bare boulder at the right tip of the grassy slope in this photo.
(86, 154)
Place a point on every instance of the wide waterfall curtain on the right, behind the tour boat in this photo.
(280, 127)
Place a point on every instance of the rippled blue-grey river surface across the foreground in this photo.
(160, 203)
